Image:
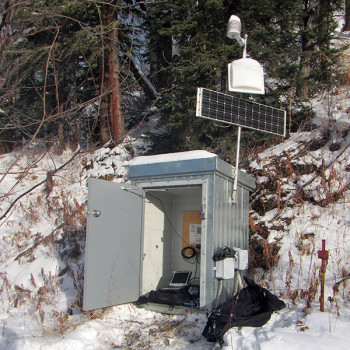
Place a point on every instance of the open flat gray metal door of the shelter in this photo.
(113, 244)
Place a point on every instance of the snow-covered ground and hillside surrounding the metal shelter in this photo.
(42, 249)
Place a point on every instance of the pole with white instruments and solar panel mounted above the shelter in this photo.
(245, 76)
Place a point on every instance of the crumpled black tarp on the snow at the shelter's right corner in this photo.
(252, 306)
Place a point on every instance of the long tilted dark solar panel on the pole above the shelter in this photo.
(232, 110)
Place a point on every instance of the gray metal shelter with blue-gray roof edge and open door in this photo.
(136, 232)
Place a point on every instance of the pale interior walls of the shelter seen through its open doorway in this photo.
(162, 243)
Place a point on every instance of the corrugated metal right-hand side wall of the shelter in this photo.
(228, 225)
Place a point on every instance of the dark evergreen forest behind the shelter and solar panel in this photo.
(88, 72)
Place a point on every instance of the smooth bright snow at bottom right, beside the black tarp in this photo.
(290, 329)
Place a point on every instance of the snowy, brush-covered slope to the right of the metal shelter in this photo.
(303, 198)
